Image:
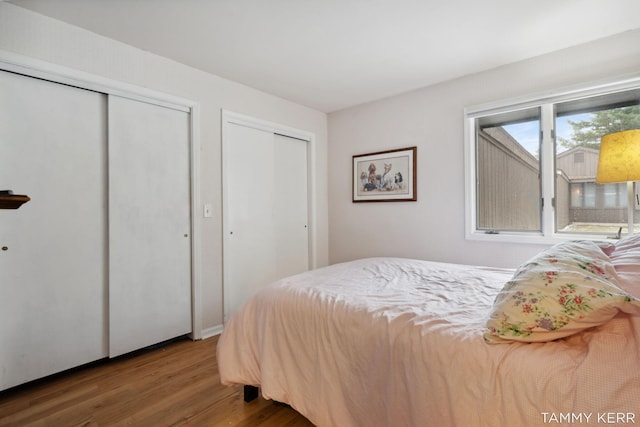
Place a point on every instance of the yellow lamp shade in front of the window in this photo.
(619, 159)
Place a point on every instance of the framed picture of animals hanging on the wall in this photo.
(385, 176)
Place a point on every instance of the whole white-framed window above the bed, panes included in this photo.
(532, 164)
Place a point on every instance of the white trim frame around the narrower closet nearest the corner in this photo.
(230, 118)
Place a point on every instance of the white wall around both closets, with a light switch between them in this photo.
(43, 38)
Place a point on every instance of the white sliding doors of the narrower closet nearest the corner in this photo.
(266, 218)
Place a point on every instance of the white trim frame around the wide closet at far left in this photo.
(16, 63)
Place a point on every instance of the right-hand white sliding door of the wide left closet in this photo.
(149, 224)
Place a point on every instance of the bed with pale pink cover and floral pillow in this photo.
(401, 342)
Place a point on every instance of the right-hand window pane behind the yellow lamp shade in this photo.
(591, 207)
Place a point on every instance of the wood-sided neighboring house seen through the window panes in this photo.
(508, 176)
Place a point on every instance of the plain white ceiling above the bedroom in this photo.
(333, 54)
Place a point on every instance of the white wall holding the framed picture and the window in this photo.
(432, 119)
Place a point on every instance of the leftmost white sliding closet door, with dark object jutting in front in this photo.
(53, 260)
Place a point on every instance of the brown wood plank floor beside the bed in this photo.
(174, 385)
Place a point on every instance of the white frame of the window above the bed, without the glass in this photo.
(546, 102)
